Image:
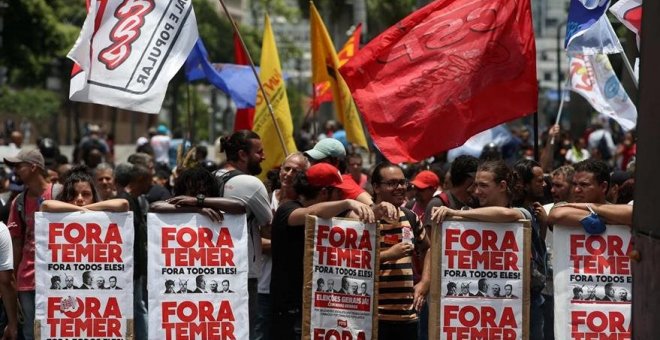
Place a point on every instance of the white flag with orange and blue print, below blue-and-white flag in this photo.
(593, 78)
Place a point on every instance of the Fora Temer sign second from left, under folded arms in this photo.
(197, 277)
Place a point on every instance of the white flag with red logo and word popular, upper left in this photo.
(128, 51)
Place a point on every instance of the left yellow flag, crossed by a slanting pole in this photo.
(271, 78)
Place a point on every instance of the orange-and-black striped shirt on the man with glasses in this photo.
(396, 292)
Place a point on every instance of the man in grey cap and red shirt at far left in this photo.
(30, 167)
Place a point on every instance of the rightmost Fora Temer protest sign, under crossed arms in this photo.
(593, 283)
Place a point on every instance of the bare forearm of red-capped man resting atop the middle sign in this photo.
(330, 210)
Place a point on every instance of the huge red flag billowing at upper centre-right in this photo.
(444, 73)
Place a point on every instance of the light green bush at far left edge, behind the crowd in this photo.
(32, 103)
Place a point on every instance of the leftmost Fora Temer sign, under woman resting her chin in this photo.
(84, 275)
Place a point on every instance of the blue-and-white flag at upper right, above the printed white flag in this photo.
(588, 31)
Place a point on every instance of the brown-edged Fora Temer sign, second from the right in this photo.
(479, 280)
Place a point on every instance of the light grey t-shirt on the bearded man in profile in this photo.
(252, 192)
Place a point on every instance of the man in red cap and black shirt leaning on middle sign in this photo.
(320, 193)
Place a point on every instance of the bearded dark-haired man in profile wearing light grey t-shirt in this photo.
(237, 180)
